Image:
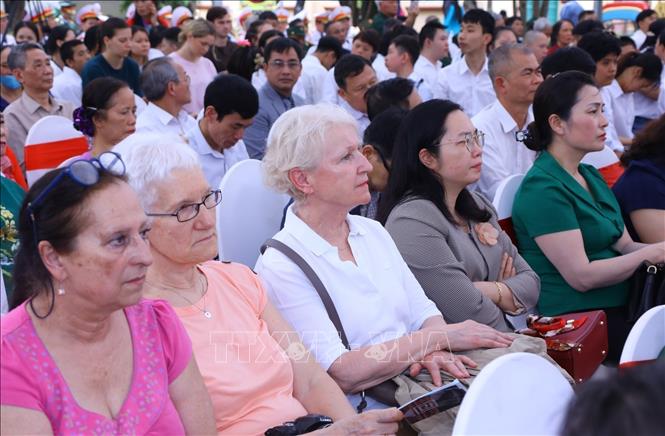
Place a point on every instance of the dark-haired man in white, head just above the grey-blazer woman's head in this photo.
(402, 53)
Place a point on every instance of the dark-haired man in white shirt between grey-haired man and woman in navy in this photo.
(68, 85)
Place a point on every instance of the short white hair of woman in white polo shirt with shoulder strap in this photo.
(297, 140)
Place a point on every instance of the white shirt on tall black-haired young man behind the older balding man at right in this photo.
(457, 83)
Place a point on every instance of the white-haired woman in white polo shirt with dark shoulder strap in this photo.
(313, 154)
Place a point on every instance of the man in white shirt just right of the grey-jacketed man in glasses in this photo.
(315, 68)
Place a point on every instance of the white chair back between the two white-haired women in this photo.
(249, 214)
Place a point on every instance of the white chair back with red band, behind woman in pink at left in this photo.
(50, 141)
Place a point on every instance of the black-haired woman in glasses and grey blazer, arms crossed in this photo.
(449, 236)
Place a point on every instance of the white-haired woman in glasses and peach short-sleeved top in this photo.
(257, 371)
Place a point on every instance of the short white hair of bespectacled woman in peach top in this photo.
(150, 158)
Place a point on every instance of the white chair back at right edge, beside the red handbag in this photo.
(646, 339)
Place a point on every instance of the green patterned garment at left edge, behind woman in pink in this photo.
(11, 198)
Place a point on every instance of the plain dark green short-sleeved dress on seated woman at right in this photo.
(549, 200)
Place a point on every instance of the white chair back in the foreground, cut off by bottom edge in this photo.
(515, 394)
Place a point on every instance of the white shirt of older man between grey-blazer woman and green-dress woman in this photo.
(503, 155)
